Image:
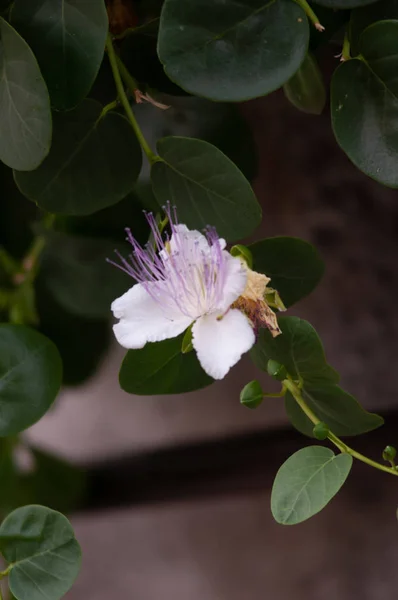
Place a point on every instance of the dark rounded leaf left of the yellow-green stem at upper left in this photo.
(94, 163)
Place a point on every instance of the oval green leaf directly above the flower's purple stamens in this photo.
(205, 186)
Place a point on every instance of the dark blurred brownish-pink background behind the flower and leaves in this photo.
(169, 496)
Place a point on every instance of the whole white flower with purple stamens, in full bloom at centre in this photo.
(190, 280)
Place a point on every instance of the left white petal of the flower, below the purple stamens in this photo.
(143, 320)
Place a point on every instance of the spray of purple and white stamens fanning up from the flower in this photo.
(187, 273)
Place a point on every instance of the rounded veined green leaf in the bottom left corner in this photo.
(45, 555)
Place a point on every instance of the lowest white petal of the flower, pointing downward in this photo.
(219, 344)
